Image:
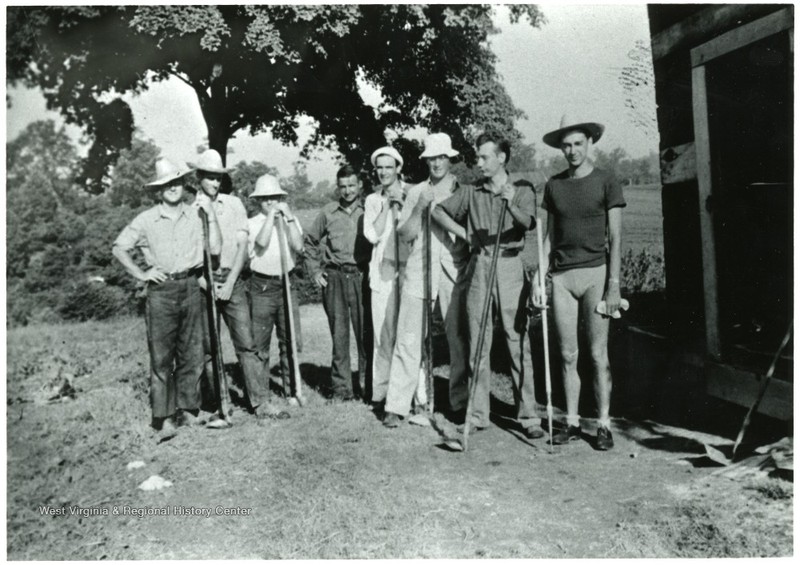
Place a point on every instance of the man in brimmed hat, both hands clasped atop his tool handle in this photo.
(266, 284)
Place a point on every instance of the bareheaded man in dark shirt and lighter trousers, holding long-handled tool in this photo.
(481, 207)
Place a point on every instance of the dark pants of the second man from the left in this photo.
(236, 313)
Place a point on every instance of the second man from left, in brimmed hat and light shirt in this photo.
(231, 290)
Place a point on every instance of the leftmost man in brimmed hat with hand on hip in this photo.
(172, 233)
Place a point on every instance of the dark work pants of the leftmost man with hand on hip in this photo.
(173, 315)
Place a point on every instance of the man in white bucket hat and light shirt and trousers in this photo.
(448, 261)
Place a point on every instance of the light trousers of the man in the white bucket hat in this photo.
(408, 377)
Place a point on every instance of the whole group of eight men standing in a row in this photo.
(373, 258)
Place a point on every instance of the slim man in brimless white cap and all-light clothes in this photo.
(381, 208)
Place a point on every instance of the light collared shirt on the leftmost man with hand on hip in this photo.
(173, 244)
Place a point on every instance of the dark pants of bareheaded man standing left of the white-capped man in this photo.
(344, 305)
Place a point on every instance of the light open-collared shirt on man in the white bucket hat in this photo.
(448, 253)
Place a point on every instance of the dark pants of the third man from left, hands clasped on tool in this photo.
(267, 312)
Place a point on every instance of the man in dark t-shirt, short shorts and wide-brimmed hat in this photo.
(584, 206)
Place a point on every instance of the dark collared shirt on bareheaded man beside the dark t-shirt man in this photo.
(481, 208)
